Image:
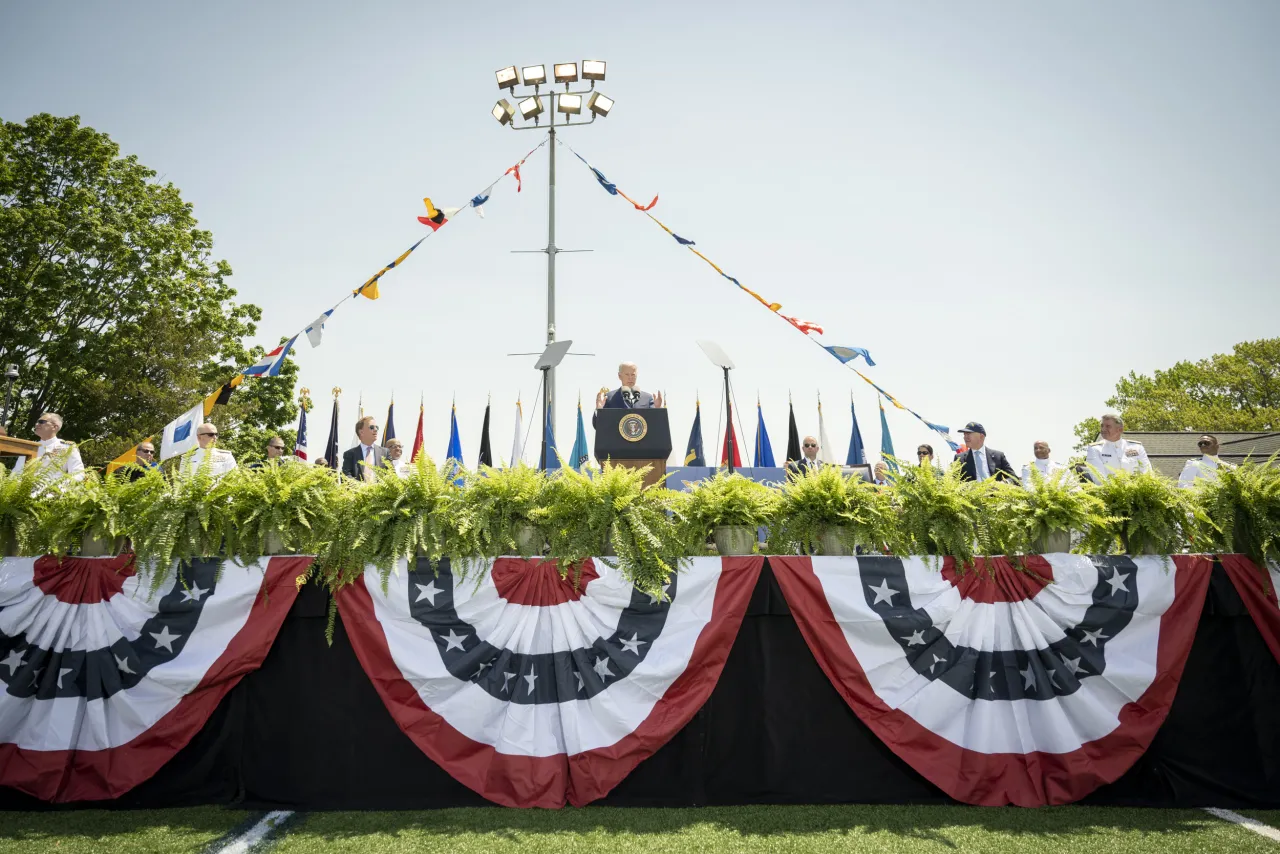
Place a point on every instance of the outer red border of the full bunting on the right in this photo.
(994, 780)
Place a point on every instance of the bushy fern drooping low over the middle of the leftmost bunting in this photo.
(180, 519)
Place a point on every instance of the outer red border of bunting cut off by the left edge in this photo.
(63, 777)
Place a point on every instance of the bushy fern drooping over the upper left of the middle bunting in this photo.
(399, 518)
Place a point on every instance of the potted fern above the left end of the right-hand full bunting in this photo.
(825, 512)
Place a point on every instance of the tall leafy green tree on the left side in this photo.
(111, 300)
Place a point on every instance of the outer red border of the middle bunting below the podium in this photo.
(551, 782)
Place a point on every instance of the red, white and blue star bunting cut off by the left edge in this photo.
(106, 681)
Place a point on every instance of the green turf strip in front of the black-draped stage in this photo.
(623, 832)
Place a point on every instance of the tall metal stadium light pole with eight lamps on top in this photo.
(529, 108)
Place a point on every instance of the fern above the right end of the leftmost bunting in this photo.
(287, 503)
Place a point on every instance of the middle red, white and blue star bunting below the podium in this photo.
(541, 692)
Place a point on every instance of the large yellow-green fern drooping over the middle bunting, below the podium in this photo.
(595, 508)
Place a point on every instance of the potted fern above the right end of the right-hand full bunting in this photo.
(1144, 514)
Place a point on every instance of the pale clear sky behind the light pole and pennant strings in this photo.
(1009, 204)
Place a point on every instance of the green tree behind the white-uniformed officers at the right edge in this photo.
(1228, 392)
